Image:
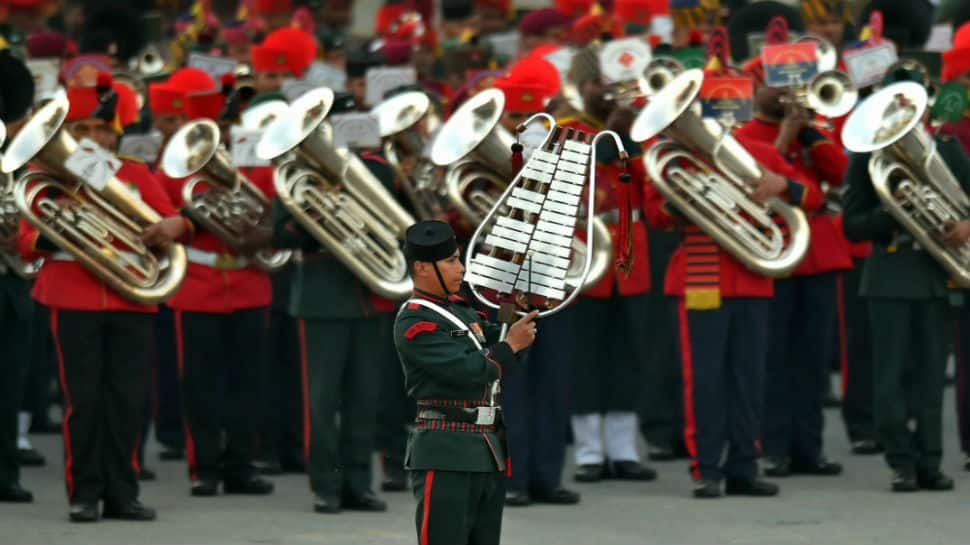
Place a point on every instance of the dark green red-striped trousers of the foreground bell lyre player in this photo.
(458, 507)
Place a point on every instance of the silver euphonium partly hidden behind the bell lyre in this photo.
(477, 151)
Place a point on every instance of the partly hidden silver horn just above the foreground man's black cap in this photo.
(405, 121)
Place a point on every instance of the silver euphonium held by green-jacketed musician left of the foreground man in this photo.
(331, 193)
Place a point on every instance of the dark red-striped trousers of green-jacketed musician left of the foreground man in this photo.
(342, 375)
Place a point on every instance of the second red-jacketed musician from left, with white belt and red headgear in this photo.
(221, 325)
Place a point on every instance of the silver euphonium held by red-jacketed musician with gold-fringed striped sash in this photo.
(704, 172)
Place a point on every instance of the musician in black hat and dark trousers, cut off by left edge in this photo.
(16, 97)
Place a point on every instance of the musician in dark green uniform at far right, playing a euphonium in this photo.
(907, 293)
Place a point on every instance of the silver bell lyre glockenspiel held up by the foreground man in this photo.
(523, 250)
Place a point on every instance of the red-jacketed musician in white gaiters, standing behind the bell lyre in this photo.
(612, 353)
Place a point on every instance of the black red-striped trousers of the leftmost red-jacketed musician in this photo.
(103, 366)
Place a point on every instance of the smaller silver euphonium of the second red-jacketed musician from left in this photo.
(218, 197)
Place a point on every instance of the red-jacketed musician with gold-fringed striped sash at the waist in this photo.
(723, 311)
